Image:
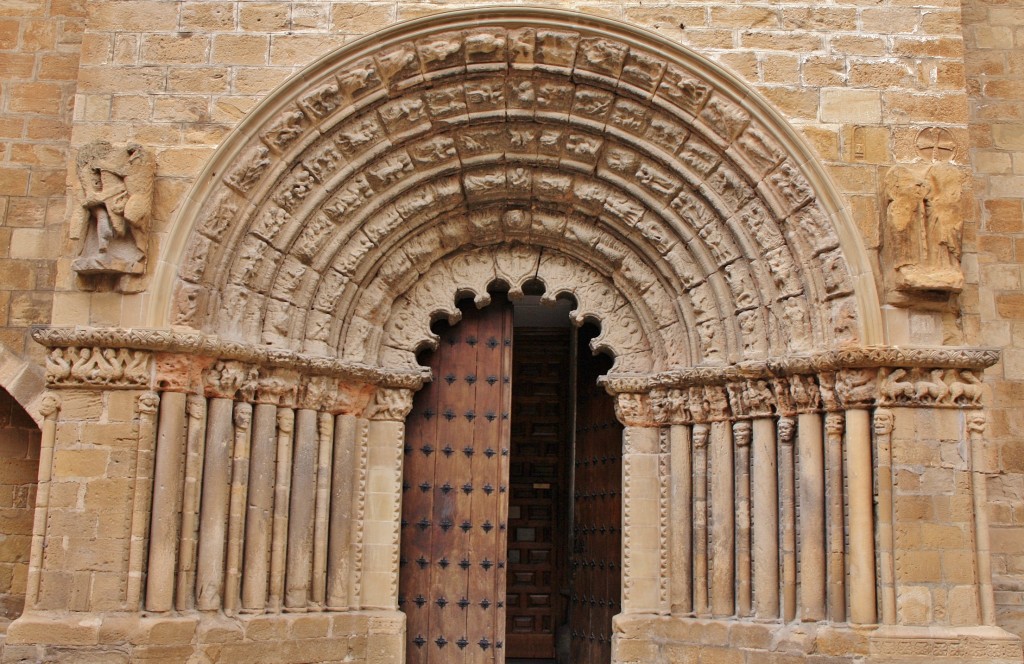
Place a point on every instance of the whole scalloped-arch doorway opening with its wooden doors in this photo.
(511, 504)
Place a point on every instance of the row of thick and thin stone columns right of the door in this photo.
(770, 507)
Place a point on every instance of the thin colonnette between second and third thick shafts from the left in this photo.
(237, 506)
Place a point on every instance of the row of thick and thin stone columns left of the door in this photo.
(263, 507)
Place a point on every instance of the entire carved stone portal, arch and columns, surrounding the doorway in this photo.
(676, 211)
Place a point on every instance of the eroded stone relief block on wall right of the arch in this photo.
(924, 227)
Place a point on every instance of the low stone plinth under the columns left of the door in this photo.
(376, 637)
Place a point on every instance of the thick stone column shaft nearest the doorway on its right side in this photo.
(682, 517)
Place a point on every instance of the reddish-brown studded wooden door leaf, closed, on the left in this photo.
(453, 566)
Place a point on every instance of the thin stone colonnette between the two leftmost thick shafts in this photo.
(195, 449)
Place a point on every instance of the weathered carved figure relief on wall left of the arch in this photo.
(117, 195)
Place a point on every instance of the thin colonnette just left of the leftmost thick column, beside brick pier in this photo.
(149, 404)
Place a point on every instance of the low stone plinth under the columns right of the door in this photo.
(658, 640)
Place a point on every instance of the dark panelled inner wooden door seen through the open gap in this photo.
(538, 515)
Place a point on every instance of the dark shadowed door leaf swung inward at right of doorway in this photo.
(596, 559)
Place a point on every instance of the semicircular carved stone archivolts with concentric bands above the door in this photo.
(571, 151)
